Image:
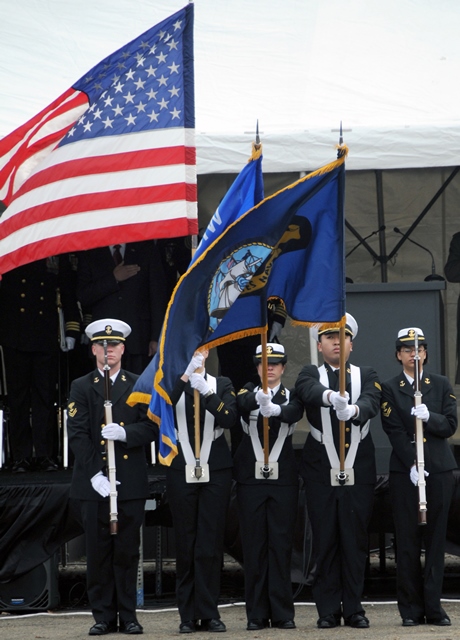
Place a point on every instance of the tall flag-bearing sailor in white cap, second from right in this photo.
(339, 513)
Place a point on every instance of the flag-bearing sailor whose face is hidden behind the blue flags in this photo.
(199, 500)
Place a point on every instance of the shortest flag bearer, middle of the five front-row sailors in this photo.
(267, 502)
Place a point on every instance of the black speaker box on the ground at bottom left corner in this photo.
(36, 590)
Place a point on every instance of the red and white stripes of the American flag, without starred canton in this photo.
(95, 192)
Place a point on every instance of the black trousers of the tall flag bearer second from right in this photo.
(339, 519)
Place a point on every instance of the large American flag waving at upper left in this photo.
(111, 160)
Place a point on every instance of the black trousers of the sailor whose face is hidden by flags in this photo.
(199, 513)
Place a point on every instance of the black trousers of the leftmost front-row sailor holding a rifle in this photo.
(112, 560)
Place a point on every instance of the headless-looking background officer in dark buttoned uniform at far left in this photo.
(30, 297)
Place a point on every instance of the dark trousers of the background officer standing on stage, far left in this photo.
(31, 384)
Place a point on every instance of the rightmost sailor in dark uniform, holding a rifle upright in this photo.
(419, 591)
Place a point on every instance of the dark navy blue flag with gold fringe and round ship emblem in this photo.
(288, 246)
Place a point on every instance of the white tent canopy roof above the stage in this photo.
(388, 70)
